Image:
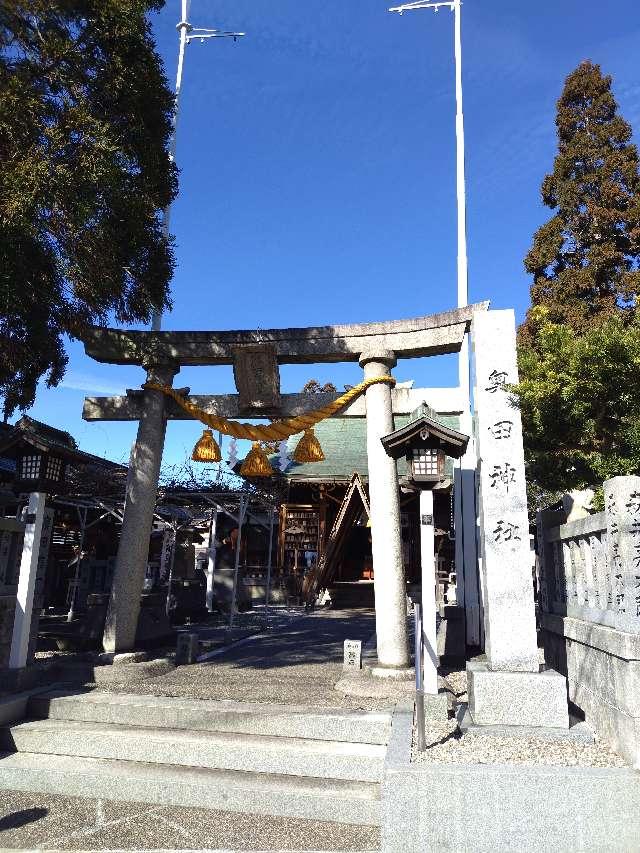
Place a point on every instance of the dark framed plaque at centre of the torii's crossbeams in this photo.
(257, 378)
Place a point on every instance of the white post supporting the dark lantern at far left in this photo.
(27, 581)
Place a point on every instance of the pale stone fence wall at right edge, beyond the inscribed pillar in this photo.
(589, 583)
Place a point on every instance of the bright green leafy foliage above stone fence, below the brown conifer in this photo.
(579, 399)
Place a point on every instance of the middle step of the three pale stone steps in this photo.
(213, 750)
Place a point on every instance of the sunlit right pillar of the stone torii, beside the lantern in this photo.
(386, 543)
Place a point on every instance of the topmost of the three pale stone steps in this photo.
(214, 716)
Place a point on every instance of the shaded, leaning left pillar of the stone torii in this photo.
(140, 501)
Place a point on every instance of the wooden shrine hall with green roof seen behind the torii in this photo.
(325, 521)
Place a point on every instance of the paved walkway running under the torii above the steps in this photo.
(295, 661)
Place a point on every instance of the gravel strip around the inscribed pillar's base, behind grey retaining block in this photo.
(446, 745)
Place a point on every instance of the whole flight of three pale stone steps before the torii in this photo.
(318, 764)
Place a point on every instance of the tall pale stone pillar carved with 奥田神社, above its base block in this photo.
(510, 631)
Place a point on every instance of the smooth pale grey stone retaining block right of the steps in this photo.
(504, 807)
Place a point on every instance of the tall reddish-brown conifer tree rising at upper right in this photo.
(584, 260)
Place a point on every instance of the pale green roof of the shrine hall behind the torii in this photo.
(344, 443)
